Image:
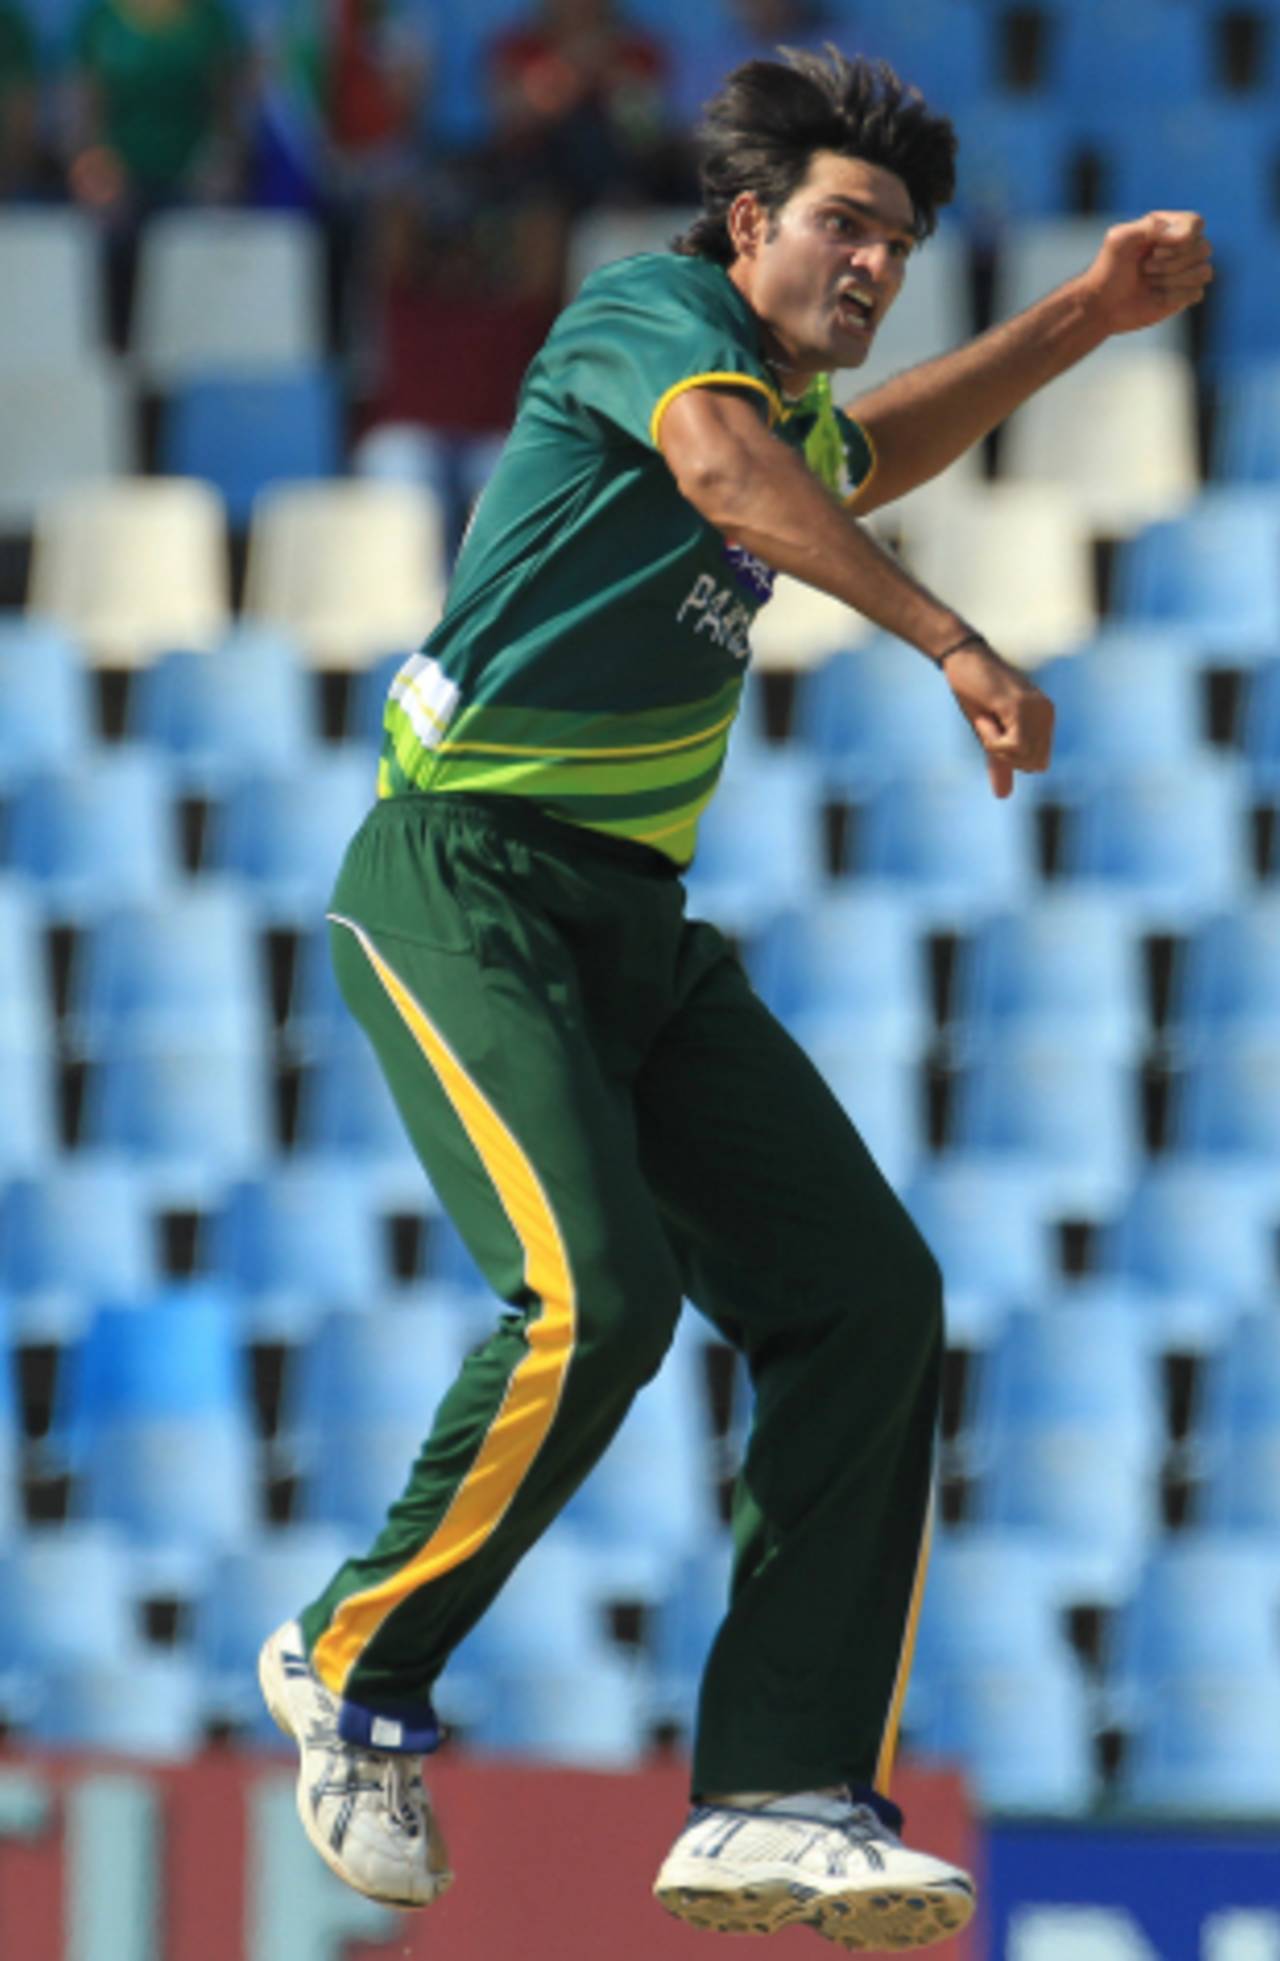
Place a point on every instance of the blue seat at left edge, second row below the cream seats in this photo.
(97, 834)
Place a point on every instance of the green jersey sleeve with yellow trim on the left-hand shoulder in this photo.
(632, 344)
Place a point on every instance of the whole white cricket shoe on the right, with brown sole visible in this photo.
(812, 1860)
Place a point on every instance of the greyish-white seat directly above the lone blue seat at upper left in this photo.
(226, 293)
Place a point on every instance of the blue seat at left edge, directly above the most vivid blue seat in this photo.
(81, 1229)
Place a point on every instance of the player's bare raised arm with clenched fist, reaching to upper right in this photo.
(926, 419)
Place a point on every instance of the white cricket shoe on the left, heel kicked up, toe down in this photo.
(366, 1811)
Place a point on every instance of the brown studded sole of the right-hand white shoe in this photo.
(887, 1921)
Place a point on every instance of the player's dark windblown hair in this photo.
(771, 117)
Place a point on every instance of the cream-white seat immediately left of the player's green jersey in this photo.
(352, 572)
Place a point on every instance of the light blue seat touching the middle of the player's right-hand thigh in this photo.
(850, 966)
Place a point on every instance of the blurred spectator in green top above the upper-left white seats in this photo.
(160, 89)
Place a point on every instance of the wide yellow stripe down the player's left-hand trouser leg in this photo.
(534, 1391)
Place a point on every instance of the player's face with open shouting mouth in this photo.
(826, 270)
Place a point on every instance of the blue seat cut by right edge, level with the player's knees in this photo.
(1203, 1229)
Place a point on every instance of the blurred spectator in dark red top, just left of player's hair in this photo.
(581, 107)
